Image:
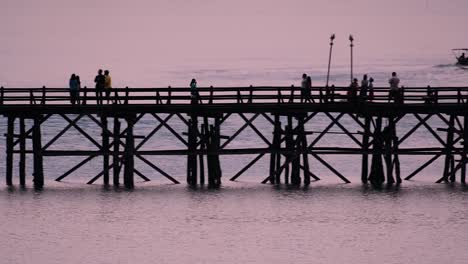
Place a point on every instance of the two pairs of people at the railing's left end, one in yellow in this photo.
(103, 84)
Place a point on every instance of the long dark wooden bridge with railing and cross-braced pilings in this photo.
(287, 110)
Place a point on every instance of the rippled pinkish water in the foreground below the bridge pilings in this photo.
(239, 223)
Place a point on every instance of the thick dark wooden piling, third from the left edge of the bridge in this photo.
(37, 151)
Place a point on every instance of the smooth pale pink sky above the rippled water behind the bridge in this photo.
(61, 35)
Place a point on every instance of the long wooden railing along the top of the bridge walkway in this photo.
(233, 95)
